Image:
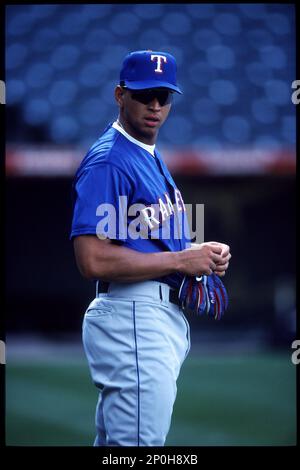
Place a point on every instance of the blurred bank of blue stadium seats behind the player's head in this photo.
(236, 65)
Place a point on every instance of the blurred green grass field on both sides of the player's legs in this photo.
(224, 401)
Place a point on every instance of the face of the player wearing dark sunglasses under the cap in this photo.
(143, 112)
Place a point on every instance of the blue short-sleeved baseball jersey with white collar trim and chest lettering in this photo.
(124, 193)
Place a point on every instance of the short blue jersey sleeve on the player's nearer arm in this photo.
(101, 195)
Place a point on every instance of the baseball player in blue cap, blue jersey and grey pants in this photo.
(131, 237)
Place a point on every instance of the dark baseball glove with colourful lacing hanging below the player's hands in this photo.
(204, 295)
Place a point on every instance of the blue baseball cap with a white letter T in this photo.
(149, 69)
